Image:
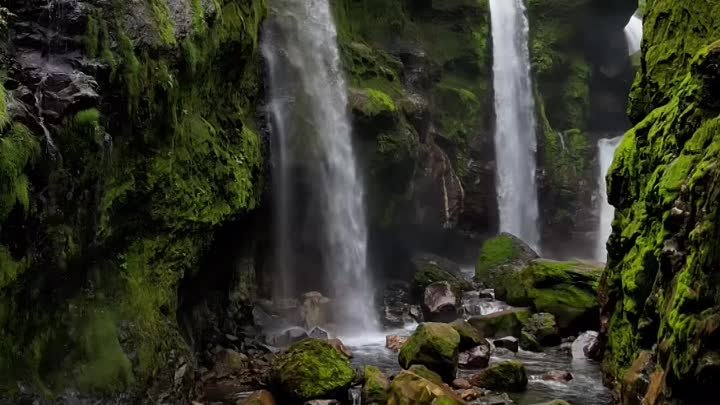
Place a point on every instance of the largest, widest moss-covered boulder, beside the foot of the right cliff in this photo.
(567, 290)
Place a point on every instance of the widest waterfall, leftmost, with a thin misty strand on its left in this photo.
(310, 127)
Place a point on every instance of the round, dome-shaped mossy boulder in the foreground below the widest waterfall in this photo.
(311, 369)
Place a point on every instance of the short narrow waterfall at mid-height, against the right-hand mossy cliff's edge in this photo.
(606, 154)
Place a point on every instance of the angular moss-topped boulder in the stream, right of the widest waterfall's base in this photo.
(434, 345)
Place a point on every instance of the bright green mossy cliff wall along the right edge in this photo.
(661, 303)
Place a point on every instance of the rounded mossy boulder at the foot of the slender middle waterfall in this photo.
(500, 255)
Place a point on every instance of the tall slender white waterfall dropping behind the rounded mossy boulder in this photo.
(515, 143)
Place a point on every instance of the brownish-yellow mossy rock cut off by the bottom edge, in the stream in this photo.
(409, 388)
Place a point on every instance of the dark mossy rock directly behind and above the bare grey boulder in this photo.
(431, 269)
